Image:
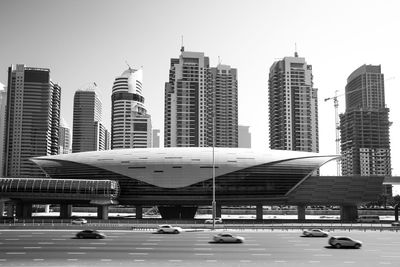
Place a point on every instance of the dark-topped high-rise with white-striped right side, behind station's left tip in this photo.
(32, 119)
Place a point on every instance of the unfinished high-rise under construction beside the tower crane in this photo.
(364, 127)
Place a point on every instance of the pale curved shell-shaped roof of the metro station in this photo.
(179, 167)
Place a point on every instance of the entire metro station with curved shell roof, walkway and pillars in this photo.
(179, 180)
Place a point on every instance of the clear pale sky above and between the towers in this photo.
(89, 41)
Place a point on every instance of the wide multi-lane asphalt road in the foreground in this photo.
(128, 248)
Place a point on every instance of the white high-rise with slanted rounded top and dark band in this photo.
(130, 123)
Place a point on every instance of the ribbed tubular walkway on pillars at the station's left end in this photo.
(21, 193)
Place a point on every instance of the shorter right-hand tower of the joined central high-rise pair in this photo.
(224, 88)
